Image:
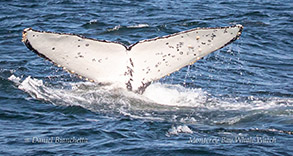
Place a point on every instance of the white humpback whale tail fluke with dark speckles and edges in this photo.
(133, 67)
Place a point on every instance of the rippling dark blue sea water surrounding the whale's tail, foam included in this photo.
(236, 101)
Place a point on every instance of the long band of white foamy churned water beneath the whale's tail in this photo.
(162, 102)
